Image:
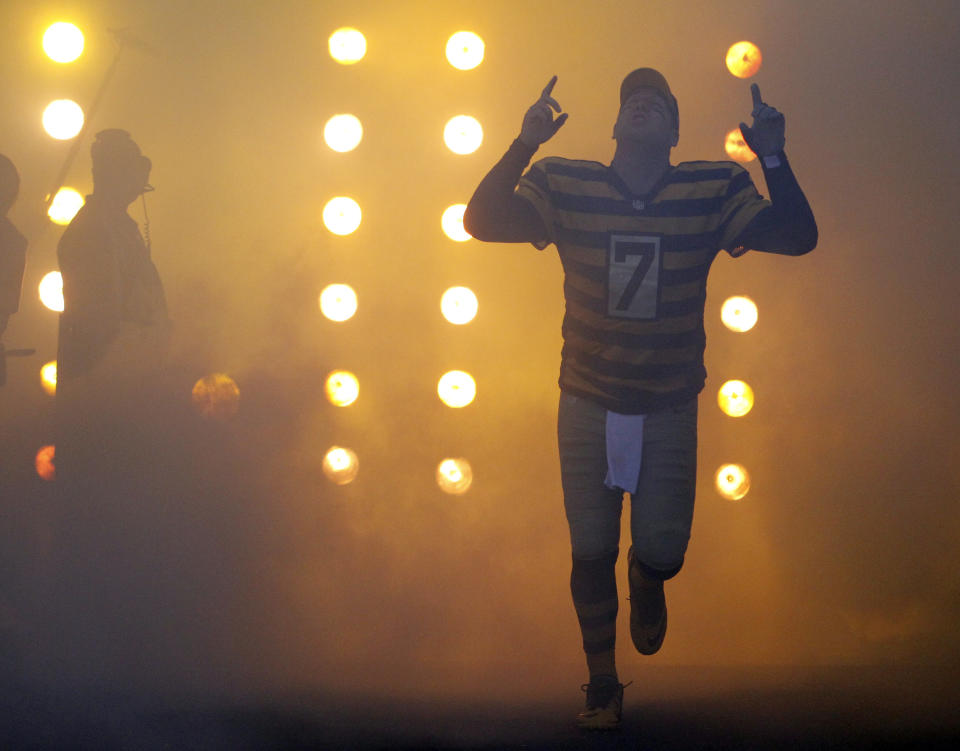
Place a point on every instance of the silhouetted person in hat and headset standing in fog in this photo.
(113, 335)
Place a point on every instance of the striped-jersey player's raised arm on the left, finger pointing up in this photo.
(495, 213)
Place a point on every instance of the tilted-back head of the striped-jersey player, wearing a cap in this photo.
(648, 109)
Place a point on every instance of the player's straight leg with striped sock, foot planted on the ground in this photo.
(593, 513)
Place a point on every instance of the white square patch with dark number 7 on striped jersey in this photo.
(633, 281)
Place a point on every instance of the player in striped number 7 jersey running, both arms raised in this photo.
(636, 239)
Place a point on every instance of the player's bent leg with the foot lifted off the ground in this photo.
(661, 516)
